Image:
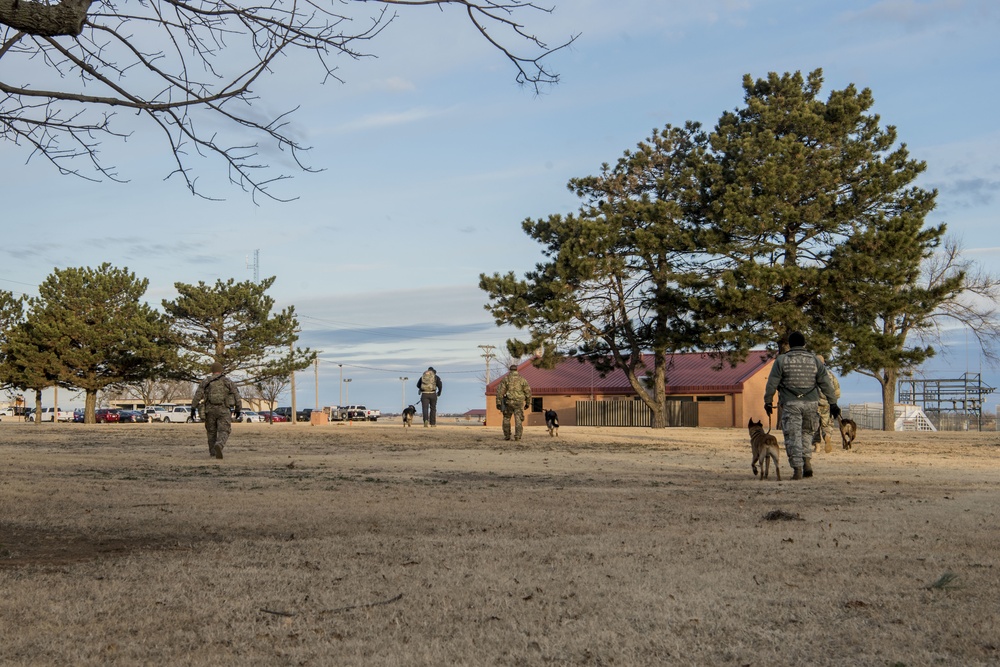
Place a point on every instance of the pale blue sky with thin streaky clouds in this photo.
(432, 156)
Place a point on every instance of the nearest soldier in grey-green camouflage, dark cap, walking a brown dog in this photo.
(799, 377)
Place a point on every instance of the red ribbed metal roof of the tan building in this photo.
(688, 373)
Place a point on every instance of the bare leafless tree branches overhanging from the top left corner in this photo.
(182, 65)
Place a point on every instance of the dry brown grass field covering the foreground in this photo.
(370, 544)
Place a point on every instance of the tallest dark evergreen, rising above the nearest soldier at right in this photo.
(814, 214)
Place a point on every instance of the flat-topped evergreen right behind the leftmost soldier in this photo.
(232, 323)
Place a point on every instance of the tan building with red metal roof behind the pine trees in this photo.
(723, 397)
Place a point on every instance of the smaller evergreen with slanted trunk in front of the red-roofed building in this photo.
(618, 281)
